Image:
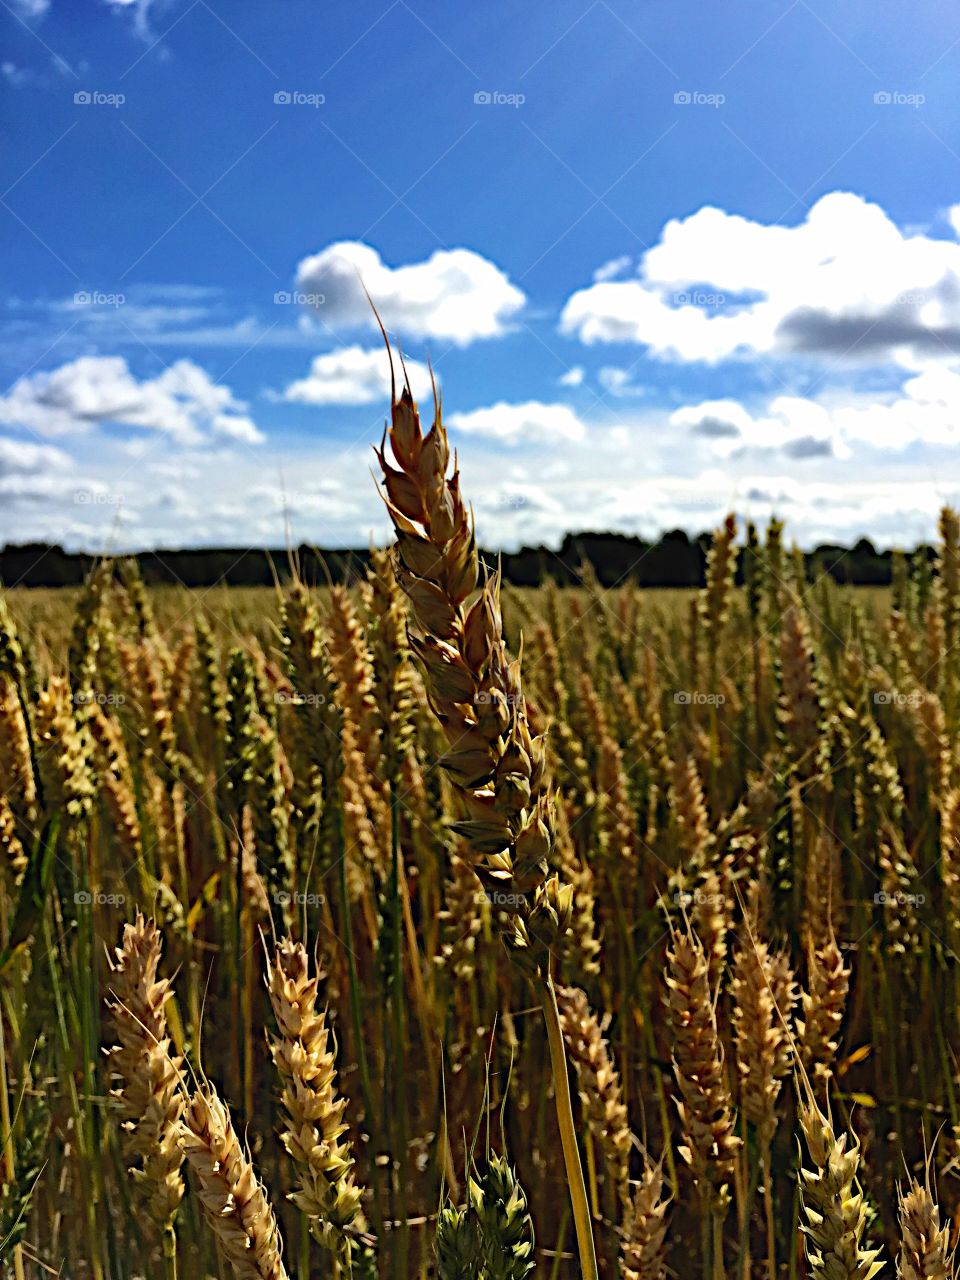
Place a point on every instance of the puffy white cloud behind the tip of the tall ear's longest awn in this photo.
(456, 295)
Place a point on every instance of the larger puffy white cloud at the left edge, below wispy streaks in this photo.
(182, 403)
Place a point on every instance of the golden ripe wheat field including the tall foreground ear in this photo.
(424, 927)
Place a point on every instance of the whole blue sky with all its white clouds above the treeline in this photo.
(668, 259)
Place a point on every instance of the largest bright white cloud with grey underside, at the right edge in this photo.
(847, 285)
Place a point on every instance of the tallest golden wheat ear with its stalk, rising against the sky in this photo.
(496, 764)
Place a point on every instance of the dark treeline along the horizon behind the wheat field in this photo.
(676, 560)
